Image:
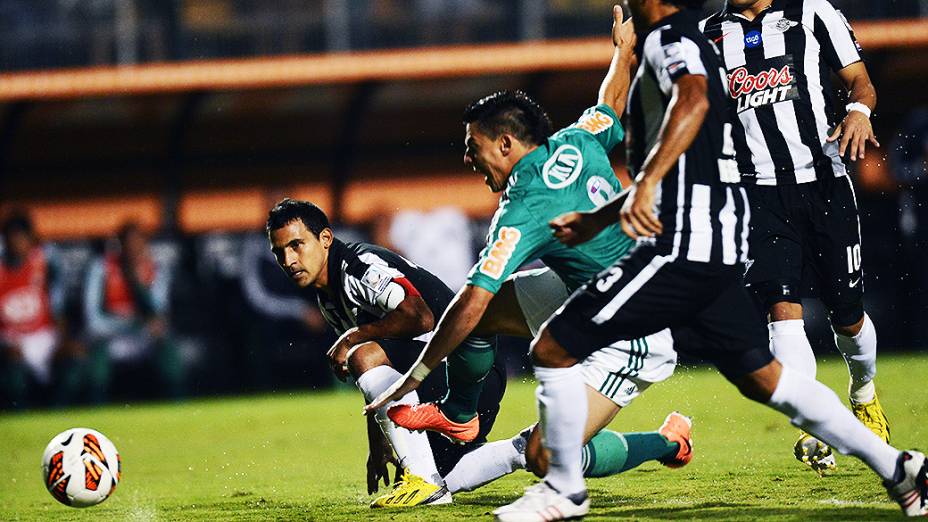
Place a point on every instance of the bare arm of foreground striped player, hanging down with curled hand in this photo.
(685, 115)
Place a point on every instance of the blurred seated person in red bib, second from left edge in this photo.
(125, 307)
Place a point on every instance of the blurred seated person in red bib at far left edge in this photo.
(32, 328)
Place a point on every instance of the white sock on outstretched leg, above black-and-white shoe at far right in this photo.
(812, 406)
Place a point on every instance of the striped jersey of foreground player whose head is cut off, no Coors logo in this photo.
(701, 204)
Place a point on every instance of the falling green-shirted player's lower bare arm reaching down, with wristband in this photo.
(456, 324)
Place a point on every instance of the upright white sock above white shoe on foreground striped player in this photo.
(562, 406)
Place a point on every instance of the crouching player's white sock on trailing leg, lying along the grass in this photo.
(488, 463)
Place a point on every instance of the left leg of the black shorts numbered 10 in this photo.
(775, 247)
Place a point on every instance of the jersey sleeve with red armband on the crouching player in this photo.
(379, 288)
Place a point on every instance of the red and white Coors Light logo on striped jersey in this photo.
(767, 87)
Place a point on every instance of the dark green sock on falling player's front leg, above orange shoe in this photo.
(466, 369)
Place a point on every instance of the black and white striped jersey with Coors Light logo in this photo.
(779, 80)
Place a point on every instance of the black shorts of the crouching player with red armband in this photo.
(403, 354)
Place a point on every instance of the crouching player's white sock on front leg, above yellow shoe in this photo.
(412, 449)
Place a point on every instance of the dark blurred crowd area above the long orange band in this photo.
(58, 33)
